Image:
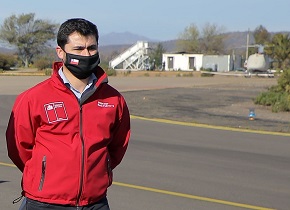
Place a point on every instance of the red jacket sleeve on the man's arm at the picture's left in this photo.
(20, 132)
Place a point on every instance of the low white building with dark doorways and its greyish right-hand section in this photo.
(191, 62)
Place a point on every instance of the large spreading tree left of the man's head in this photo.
(28, 35)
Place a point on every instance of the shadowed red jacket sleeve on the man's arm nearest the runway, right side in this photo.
(121, 135)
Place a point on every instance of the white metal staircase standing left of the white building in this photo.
(134, 58)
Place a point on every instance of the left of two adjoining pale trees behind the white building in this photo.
(188, 41)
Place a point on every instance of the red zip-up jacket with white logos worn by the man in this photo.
(66, 149)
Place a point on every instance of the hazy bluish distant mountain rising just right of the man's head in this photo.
(125, 38)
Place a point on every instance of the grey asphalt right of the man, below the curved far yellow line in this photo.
(228, 169)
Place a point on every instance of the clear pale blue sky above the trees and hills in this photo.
(159, 19)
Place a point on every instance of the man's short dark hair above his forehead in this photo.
(82, 26)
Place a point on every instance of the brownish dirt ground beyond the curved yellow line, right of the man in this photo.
(225, 102)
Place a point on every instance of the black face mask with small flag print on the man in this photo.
(81, 66)
